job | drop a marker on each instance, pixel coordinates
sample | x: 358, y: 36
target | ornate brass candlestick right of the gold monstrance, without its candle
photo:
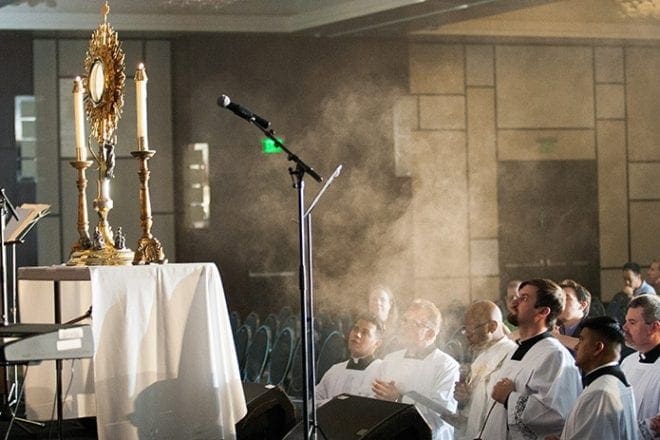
x: 149, y: 249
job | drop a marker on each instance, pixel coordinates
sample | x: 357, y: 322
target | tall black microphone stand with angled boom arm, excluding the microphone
x: 306, y: 300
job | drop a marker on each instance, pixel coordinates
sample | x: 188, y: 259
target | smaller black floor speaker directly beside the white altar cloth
x: 270, y: 413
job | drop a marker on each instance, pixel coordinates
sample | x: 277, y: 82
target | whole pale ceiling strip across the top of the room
x: 335, y: 18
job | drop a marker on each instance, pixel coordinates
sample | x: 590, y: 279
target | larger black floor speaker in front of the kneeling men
x: 349, y: 417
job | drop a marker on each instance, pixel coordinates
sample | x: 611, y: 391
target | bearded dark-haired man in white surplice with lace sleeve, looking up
x: 539, y: 384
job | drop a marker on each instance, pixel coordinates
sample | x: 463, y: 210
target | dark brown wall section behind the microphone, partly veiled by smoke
x: 331, y: 101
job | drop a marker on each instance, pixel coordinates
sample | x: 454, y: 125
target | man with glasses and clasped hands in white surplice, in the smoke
x: 420, y: 372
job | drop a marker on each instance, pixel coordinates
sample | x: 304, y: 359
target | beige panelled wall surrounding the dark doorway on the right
x: 480, y: 103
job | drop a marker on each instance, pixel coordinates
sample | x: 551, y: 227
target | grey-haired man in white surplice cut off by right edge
x: 642, y: 331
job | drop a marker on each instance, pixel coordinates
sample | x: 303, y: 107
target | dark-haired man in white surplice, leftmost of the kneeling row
x: 355, y: 375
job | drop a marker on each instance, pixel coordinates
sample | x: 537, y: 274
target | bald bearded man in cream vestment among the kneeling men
x: 484, y: 330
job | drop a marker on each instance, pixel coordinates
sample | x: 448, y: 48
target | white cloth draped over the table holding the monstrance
x: 165, y: 364
